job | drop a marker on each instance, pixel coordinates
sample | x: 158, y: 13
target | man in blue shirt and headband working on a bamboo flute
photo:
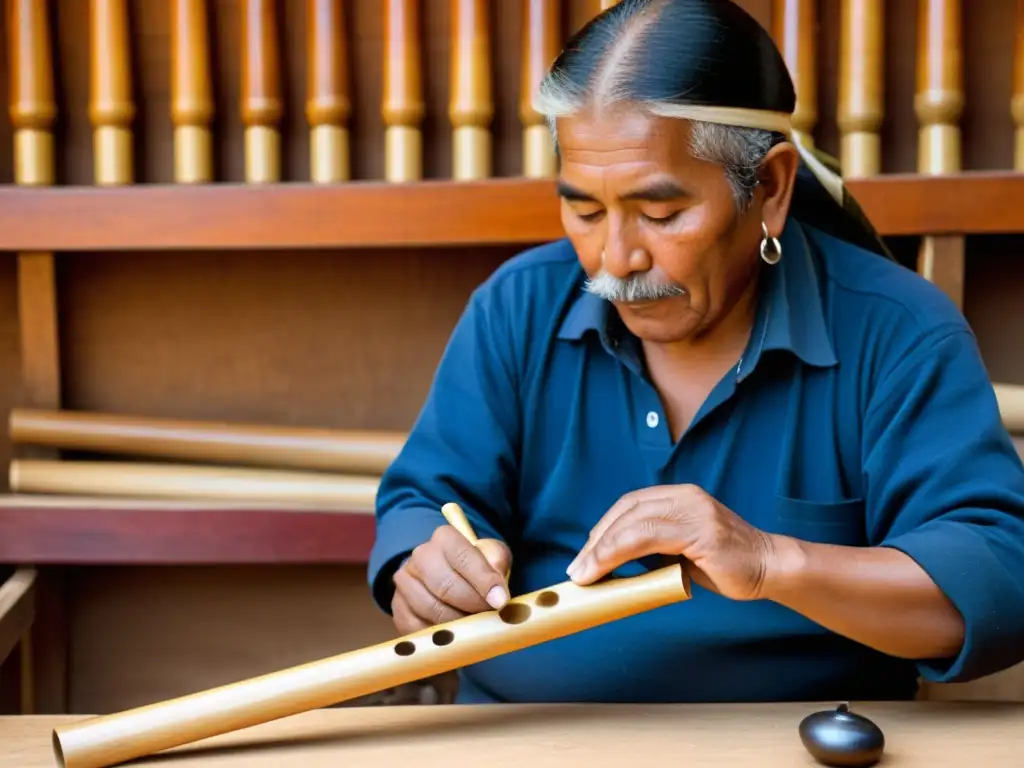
x: 720, y: 364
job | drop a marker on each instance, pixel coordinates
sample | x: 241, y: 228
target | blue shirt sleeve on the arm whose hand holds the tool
x: 463, y: 448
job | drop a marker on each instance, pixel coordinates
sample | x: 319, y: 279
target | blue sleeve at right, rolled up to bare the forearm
x: 946, y: 486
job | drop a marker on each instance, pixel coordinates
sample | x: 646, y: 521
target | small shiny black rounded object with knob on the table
x: 841, y: 738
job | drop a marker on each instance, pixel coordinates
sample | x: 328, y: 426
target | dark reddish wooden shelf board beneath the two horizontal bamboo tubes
x: 91, y: 532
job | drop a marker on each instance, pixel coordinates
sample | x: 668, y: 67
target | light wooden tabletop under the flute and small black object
x: 930, y: 735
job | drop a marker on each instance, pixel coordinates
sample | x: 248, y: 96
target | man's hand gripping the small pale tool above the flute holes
x: 448, y: 578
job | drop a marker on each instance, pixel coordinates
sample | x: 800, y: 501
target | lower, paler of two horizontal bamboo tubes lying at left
x: 349, y: 493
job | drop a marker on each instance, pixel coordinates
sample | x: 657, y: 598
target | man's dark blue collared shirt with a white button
x: 861, y: 414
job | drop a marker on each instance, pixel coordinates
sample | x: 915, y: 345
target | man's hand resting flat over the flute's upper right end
x: 722, y: 551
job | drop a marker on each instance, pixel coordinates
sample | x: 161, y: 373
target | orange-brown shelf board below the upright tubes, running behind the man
x: 430, y: 214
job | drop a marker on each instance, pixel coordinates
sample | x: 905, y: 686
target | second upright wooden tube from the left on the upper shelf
x: 111, y: 108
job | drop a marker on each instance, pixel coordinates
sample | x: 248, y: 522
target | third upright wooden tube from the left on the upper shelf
x: 192, y: 93
